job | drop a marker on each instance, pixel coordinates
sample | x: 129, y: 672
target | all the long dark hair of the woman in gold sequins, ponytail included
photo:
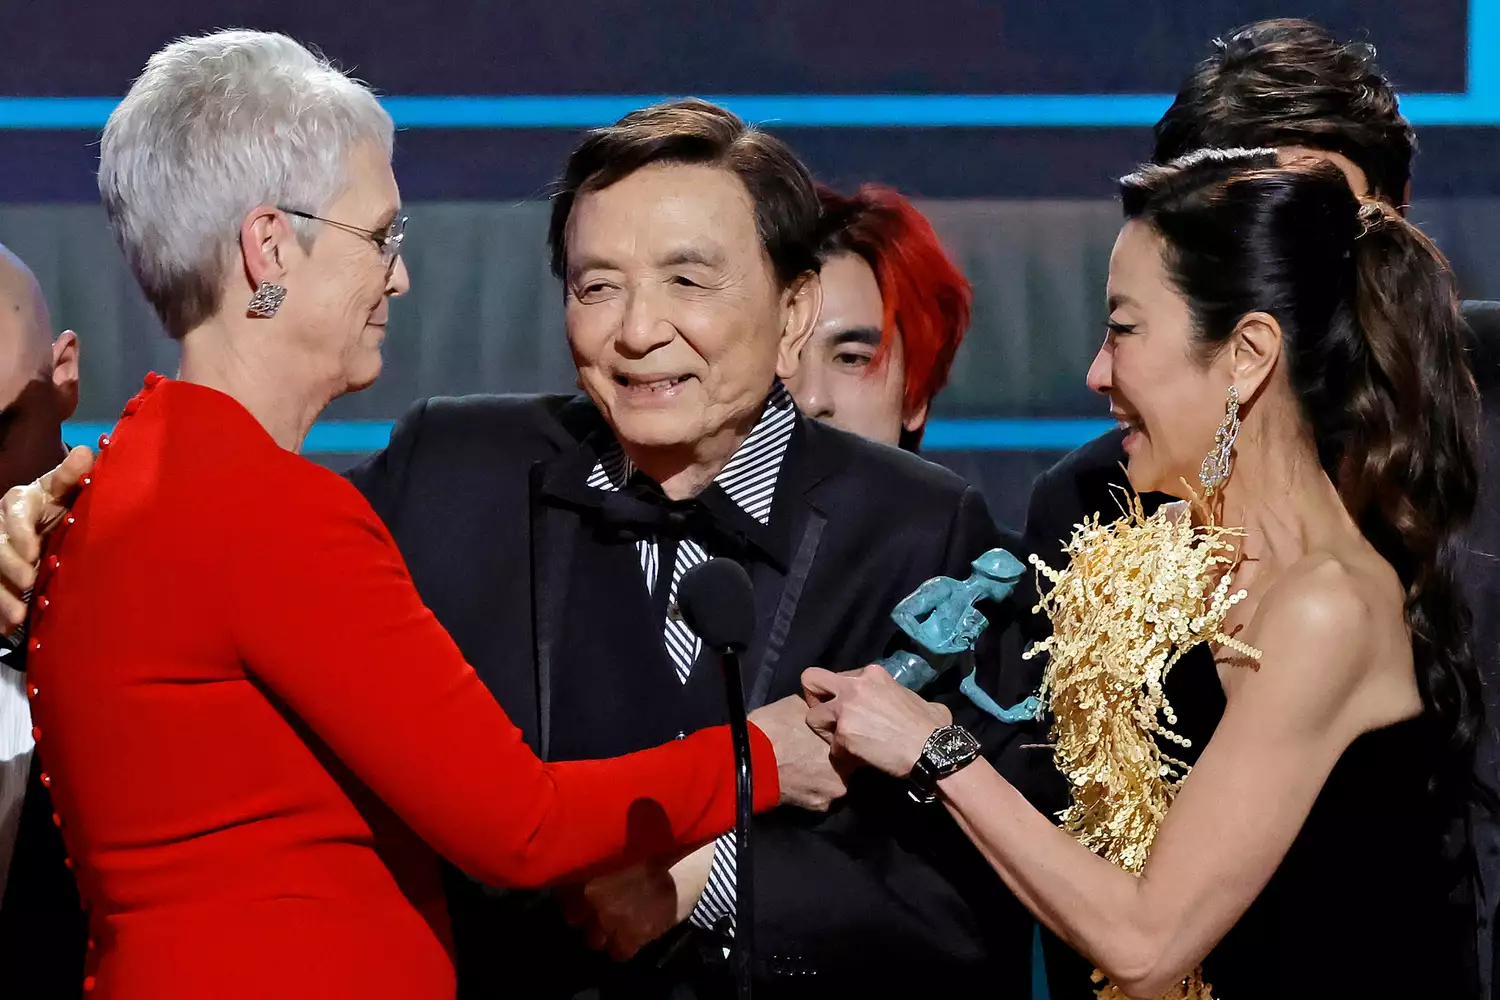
x: 1376, y: 356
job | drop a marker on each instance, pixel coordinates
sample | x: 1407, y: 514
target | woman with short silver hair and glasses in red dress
x: 248, y: 738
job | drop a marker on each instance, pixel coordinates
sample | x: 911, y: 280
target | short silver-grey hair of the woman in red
x: 212, y: 128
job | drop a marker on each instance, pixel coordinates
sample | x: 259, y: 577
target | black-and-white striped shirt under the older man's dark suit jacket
x: 749, y: 481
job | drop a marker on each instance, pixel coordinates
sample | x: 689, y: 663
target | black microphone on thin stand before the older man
x: 718, y: 603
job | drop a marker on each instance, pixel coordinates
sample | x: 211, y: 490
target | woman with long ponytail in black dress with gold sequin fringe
x: 1262, y: 696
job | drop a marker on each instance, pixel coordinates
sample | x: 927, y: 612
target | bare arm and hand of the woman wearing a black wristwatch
x: 1232, y: 824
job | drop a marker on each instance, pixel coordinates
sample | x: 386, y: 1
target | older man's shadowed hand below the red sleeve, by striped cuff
x: 625, y: 912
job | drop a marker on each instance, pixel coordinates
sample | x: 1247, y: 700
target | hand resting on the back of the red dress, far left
x: 26, y: 515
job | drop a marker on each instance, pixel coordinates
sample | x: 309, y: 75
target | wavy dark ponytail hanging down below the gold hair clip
x: 1409, y: 473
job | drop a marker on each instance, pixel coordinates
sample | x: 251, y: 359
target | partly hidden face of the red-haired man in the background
x: 838, y: 380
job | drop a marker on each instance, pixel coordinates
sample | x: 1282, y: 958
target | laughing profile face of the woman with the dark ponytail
x: 1160, y: 389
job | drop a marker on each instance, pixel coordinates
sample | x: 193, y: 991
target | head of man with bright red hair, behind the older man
x: 895, y: 311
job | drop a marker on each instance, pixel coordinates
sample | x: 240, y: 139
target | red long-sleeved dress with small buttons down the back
x: 254, y: 731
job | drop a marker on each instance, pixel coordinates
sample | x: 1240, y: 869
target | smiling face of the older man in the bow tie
x: 674, y: 314
